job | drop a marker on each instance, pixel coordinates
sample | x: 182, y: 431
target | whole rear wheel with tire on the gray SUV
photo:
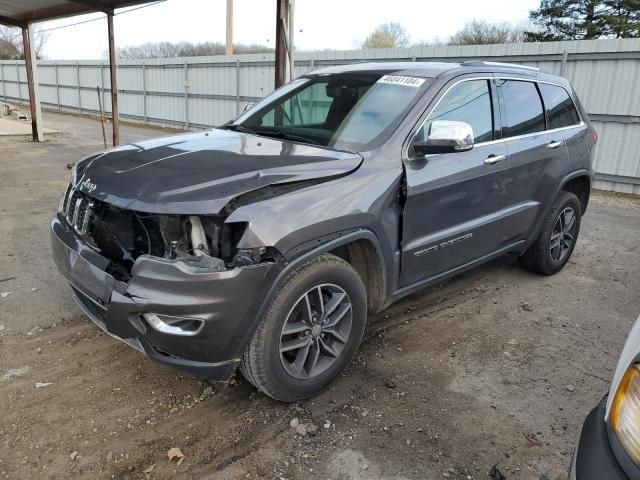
x: 544, y: 258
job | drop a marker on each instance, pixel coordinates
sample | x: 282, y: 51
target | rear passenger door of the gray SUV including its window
x: 537, y: 156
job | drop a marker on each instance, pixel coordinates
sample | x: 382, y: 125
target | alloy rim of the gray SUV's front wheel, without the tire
x: 316, y: 331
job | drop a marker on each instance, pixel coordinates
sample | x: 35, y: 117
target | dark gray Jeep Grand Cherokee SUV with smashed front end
x: 264, y: 243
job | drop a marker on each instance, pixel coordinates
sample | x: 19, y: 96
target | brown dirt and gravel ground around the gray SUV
x: 495, y: 367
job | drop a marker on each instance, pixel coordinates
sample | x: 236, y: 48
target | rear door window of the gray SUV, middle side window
x: 522, y: 112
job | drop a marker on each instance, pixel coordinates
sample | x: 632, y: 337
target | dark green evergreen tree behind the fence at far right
x: 585, y: 20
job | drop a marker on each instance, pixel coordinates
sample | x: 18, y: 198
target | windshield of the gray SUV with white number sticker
x: 355, y: 111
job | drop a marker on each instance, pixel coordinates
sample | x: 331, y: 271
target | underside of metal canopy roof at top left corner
x: 21, y: 12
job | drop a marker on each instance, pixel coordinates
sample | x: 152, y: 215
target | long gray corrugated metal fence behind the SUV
x: 202, y: 92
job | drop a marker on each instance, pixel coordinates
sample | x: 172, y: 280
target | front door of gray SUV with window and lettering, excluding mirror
x: 452, y: 214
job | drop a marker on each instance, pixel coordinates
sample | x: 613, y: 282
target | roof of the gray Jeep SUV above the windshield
x: 430, y: 69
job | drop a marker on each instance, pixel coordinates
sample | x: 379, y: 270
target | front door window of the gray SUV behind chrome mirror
x: 470, y: 102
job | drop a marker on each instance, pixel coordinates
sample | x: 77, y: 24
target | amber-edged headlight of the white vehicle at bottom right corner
x: 625, y: 413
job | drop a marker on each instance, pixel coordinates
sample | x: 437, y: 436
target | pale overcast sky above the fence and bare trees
x: 320, y: 24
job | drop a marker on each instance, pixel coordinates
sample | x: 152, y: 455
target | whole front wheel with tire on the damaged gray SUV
x: 295, y: 316
